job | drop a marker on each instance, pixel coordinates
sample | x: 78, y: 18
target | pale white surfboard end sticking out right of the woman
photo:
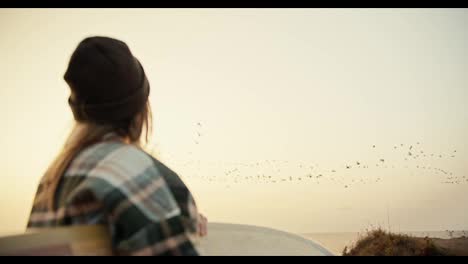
x: 244, y: 240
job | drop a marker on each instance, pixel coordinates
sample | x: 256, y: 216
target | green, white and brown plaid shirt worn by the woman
x: 148, y: 209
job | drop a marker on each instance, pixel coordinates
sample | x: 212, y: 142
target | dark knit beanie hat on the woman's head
x: 108, y: 84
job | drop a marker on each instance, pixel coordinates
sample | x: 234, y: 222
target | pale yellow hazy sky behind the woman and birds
x: 305, y: 93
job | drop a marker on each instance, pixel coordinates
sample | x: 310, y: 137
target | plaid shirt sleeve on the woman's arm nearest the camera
x: 144, y: 217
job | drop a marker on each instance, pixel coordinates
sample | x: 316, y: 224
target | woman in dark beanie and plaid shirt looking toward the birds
x: 102, y: 176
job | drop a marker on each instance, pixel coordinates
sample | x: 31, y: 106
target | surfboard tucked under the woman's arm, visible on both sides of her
x: 222, y: 240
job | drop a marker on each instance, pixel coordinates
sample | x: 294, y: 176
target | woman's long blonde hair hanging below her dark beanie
x: 85, y: 134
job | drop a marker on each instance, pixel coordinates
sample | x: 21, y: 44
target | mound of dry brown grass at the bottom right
x: 381, y: 243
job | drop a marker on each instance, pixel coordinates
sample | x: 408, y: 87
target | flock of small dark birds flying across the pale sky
x: 282, y: 171
